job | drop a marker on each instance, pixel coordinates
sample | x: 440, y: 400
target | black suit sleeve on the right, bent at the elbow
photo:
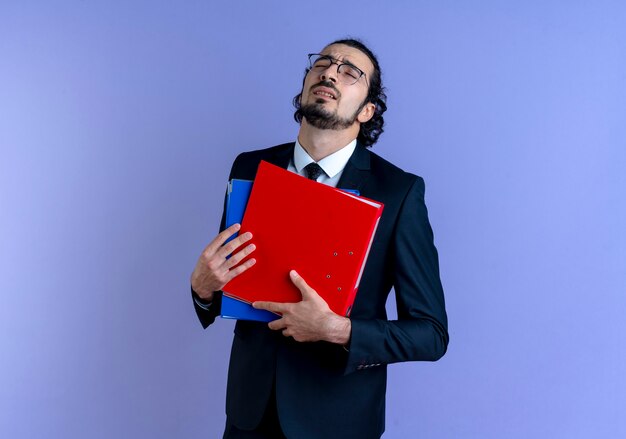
x: 421, y: 331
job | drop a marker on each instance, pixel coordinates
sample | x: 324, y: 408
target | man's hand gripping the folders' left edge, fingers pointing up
x: 213, y: 270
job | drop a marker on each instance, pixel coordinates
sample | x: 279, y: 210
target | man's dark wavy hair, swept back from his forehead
x: 373, y: 128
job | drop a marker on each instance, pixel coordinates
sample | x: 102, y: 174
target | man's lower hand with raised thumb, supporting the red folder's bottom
x: 310, y: 319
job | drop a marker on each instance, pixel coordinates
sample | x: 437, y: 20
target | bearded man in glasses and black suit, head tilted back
x: 312, y: 373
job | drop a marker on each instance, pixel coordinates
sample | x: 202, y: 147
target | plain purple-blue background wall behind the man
x: 118, y: 125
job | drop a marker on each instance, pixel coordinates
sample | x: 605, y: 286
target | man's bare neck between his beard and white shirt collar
x: 322, y: 143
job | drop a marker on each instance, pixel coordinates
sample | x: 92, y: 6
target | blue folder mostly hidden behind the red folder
x: 236, y: 202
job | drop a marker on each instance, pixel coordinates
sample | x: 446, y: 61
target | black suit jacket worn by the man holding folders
x: 322, y: 390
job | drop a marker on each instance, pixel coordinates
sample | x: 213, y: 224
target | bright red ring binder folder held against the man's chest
x: 319, y: 231
